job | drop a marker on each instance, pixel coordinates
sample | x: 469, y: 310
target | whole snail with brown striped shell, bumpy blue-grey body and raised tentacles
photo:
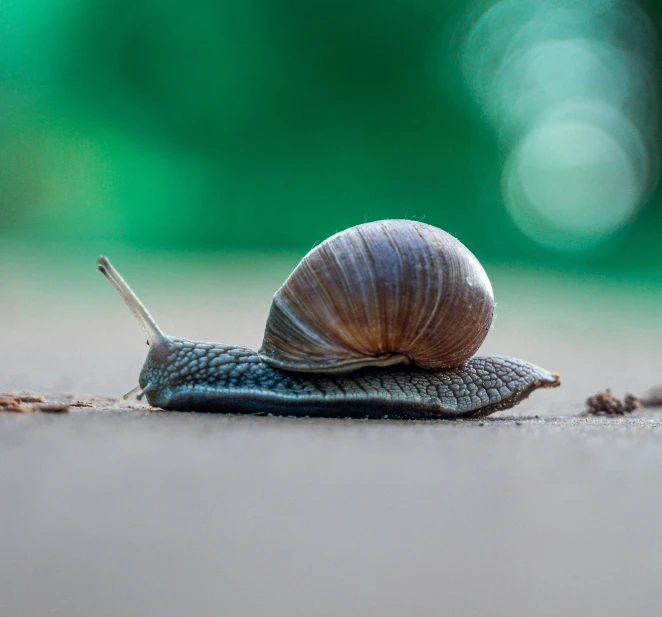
x: 379, y: 320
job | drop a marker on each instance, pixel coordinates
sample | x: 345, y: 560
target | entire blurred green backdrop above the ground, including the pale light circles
x: 245, y: 126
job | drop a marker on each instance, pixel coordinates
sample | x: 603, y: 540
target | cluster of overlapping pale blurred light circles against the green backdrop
x: 571, y: 90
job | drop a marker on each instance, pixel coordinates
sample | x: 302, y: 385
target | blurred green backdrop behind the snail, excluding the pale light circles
x: 255, y: 125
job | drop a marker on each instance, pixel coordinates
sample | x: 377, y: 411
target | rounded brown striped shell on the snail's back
x: 377, y: 294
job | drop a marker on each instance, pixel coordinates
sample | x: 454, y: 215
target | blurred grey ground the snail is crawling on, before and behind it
x: 120, y: 510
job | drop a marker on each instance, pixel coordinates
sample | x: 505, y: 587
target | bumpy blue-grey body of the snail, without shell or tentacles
x: 183, y: 375
